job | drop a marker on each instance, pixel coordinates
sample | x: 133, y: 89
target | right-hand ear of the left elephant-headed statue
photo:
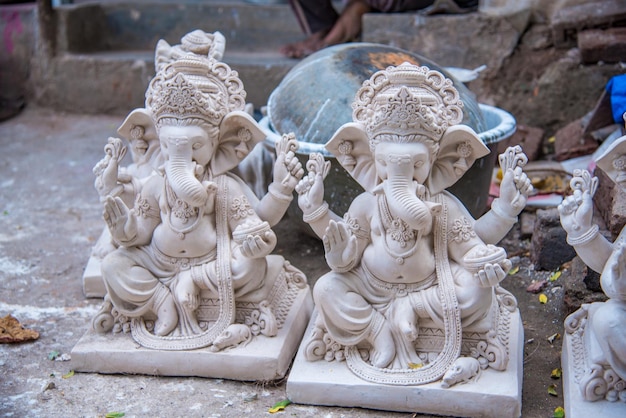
x: 239, y: 133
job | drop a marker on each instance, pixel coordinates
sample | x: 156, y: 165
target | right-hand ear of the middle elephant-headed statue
x: 458, y: 149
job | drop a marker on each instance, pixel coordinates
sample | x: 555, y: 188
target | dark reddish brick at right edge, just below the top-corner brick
x: 602, y: 45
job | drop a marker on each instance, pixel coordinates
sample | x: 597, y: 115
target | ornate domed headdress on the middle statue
x: 407, y: 101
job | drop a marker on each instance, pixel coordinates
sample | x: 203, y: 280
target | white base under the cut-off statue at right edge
x: 575, y: 405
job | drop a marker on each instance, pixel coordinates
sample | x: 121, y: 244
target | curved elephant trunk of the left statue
x: 180, y: 171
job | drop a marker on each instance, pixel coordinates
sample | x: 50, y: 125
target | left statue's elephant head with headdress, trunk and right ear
x: 197, y: 104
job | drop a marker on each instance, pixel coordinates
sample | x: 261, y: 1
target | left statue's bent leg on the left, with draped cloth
x: 135, y: 291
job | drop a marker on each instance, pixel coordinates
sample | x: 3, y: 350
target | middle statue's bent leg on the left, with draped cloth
x: 350, y: 319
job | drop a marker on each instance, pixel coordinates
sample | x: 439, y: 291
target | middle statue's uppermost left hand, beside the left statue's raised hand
x: 311, y: 188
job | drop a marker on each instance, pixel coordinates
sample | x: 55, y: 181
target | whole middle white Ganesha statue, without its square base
x: 414, y: 285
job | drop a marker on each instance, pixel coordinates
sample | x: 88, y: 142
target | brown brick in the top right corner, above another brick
x: 569, y: 21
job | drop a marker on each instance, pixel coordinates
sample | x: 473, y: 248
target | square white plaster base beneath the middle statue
x: 495, y: 394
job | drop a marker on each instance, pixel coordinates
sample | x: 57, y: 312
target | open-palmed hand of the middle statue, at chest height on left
x: 340, y: 246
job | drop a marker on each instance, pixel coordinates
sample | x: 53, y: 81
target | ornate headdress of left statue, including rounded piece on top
x: 192, y: 83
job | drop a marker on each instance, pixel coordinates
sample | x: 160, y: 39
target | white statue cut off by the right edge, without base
x: 597, y: 331
